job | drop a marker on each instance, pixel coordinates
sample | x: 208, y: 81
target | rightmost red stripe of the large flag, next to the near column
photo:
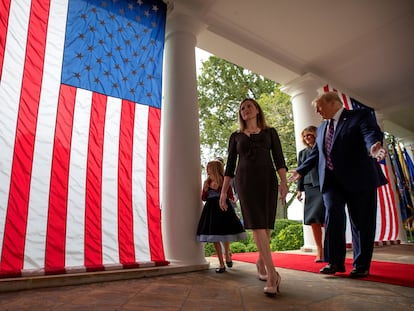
x: 153, y: 208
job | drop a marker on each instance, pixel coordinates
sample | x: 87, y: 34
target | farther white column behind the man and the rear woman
x: 302, y: 91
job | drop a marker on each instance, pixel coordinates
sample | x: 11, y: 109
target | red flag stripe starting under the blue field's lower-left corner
x: 56, y: 224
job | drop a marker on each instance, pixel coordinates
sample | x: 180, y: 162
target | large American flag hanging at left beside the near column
x: 80, y: 93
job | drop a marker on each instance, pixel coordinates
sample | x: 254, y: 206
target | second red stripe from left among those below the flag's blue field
x: 93, y: 204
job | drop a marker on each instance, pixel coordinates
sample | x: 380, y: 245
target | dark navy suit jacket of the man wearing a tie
x: 355, y: 169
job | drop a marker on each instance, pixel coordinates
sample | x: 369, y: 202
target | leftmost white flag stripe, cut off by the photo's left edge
x: 10, y: 87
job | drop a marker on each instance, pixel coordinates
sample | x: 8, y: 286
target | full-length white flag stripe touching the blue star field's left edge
x: 34, y: 254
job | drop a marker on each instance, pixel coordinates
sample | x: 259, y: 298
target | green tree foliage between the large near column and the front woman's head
x: 221, y: 88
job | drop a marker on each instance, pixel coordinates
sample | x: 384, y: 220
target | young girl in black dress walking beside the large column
x: 216, y: 224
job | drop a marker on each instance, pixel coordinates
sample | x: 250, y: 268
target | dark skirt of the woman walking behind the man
x: 314, y: 209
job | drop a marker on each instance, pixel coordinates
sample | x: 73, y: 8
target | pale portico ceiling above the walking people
x: 364, y: 48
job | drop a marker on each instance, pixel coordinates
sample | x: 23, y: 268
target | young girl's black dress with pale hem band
x: 216, y: 225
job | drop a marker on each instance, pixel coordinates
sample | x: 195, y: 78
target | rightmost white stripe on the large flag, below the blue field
x: 139, y: 176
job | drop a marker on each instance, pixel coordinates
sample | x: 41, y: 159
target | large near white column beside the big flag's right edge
x: 180, y: 144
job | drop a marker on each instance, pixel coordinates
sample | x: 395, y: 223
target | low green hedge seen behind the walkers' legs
x: 287, y: 235
